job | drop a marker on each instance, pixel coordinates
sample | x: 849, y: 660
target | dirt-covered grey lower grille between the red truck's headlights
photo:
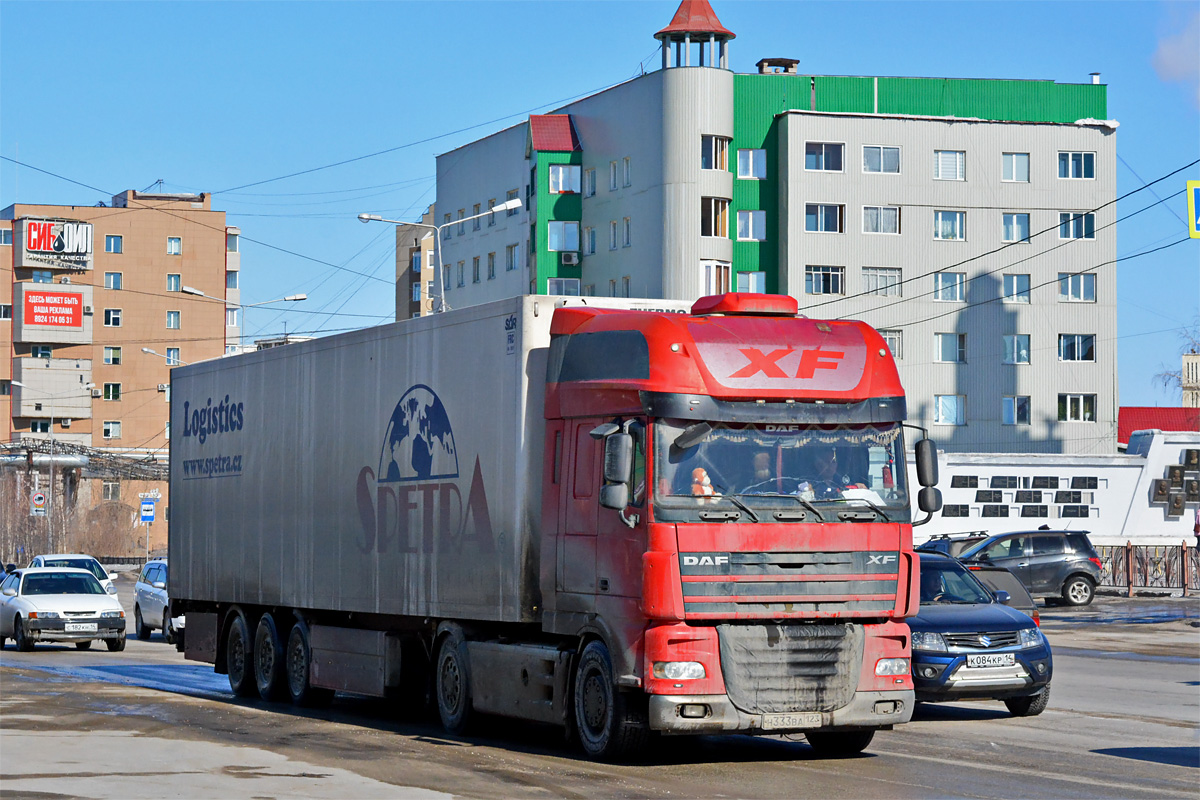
x: 773, y: 669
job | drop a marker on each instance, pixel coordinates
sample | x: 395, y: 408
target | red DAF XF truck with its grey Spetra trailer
x: 619, y: 520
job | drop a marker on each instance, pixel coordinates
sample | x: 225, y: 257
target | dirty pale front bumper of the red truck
x: 873, y: 711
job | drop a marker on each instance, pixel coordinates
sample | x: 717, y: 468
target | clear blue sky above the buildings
x: 215, y: 97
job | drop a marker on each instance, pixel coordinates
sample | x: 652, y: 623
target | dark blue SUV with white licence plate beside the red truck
x: 968, y: 645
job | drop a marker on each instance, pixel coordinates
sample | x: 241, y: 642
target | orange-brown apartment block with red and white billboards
x: 93, y: 286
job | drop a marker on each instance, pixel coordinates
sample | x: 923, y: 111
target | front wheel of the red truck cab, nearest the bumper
x: 610, y: 724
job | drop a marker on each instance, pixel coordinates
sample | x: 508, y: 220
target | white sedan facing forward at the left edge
x: 59, y: 605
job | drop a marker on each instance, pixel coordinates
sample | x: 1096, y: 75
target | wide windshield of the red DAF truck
x: 817, y: 472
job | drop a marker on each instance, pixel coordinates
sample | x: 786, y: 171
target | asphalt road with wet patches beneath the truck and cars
x: 1124, y: 723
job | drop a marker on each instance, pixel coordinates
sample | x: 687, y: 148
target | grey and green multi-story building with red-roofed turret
x: 973, y: 221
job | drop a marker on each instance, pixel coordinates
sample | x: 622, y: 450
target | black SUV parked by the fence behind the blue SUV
x: 1049, y: 563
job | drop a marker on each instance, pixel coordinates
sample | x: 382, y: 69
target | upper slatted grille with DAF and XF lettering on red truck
x: 769, y: 586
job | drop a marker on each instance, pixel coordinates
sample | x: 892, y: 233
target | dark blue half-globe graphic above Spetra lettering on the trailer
x: 419, y: 443
